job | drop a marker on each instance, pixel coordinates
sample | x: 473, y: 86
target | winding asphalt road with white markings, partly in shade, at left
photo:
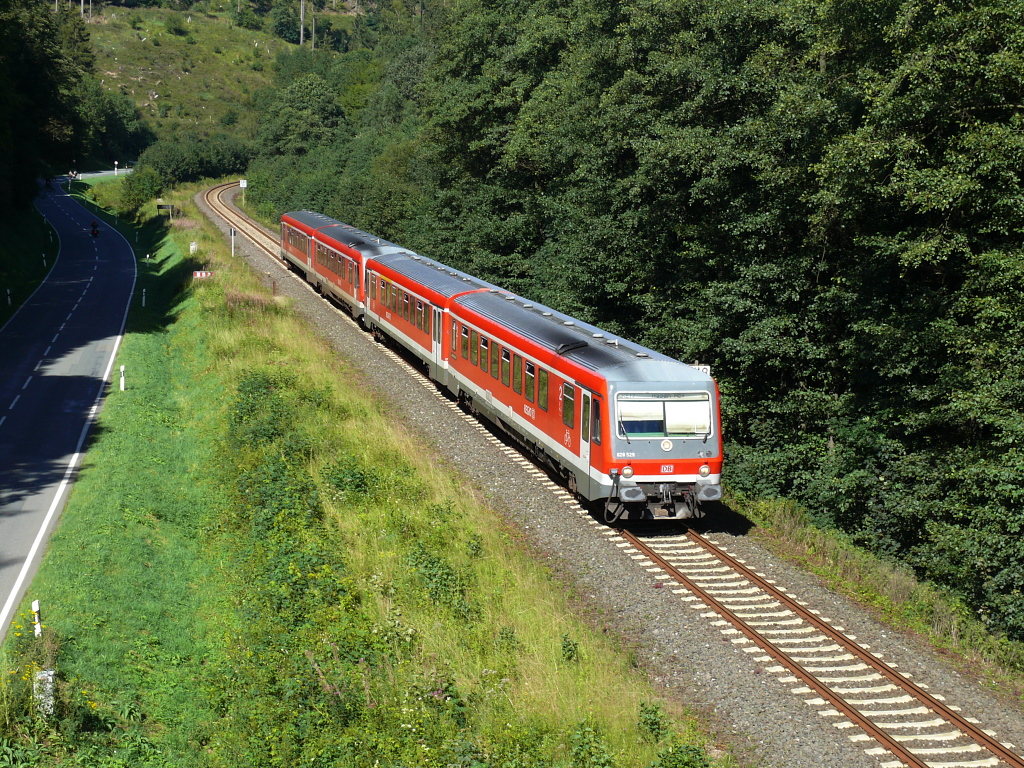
x: 57, y: 354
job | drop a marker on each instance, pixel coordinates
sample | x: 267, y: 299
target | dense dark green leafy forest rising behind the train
x: 823, y: 200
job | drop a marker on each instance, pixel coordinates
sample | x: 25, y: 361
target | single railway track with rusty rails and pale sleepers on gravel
x: 881, y: 710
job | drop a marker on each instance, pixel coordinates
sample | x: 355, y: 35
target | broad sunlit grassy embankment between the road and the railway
x: 260, y: 567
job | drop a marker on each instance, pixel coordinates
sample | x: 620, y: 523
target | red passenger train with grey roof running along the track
x: 619, y: 422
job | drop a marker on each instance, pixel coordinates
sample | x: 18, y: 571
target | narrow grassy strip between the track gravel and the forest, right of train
x: 892, y: 593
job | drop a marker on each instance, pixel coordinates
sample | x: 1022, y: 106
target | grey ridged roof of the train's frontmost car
x: 616, y: 358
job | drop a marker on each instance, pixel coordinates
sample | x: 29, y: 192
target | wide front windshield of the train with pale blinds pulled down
x: 664, y: 414
